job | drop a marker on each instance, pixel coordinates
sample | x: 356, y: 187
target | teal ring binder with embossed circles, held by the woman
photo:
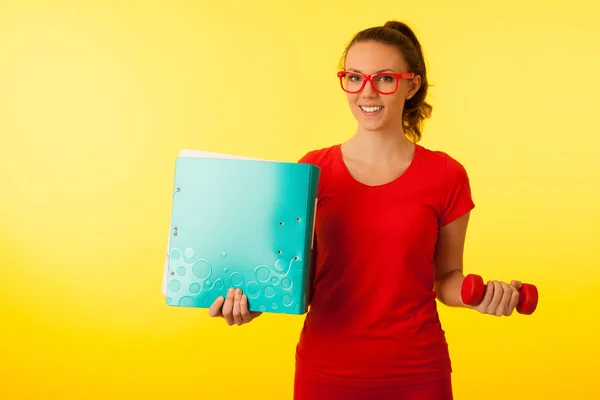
x: 241, y: 223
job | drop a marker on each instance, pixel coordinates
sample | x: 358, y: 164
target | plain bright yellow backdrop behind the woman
x: 97, y: 98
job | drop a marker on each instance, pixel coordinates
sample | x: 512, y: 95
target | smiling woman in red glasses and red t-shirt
x: 390, y: 230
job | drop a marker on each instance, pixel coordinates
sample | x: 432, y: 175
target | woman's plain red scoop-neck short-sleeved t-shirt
x: 373, y: 319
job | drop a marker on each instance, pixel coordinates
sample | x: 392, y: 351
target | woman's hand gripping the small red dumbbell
x: 500, y: 298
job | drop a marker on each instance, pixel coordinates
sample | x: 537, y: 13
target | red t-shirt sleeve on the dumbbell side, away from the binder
x: 456, y: 199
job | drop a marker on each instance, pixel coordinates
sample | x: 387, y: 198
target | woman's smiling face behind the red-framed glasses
x: 372, y: 110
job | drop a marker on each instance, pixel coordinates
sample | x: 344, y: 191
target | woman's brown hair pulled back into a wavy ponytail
x: 398, y: 34
